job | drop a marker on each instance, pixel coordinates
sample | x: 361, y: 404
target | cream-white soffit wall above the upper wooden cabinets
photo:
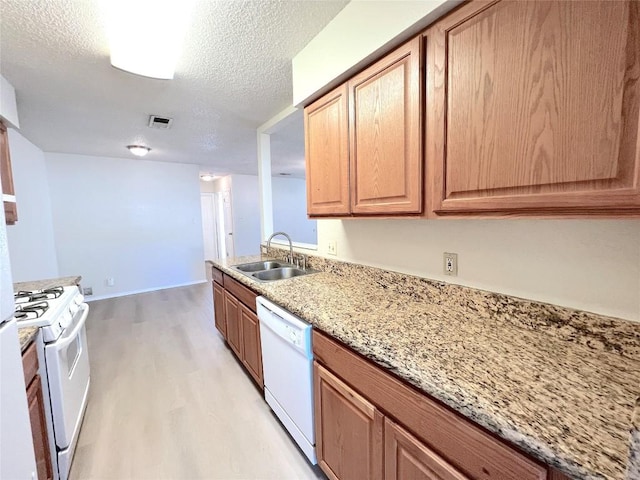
x: 361, y: 31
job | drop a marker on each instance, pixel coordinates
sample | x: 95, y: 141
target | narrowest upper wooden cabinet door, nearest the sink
x: 327, y: 154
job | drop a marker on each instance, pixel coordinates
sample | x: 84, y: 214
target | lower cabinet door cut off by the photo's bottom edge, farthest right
x: 407, y: 458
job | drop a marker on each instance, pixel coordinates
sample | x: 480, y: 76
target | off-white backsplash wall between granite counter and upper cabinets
x: 591, y: 265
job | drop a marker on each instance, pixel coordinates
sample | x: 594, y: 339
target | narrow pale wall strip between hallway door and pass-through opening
x: 245, y: 206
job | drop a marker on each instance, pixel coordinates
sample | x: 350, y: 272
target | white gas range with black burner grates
x: 60, y: 313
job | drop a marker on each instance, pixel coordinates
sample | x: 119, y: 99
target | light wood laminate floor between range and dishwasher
x: 168, y: 400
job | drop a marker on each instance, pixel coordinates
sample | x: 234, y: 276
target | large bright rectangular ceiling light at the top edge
x: 145, y: 36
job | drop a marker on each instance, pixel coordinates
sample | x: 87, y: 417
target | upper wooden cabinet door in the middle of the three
x: 385, y: 134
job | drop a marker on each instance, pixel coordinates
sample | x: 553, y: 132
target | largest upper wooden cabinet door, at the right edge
x: 533, y: 107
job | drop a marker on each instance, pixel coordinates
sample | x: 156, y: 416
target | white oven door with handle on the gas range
x: 68, y: 374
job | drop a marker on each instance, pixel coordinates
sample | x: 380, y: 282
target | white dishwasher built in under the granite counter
x: 287, y: 363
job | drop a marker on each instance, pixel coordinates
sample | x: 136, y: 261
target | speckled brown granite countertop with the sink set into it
x: 559, y: 383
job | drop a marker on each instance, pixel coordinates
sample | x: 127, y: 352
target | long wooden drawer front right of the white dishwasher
x: 466, y: 446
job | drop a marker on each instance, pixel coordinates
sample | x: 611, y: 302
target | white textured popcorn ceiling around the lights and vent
x: 234, y: 74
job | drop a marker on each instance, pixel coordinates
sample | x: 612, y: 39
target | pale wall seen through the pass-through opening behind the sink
x: 290, y: 210
